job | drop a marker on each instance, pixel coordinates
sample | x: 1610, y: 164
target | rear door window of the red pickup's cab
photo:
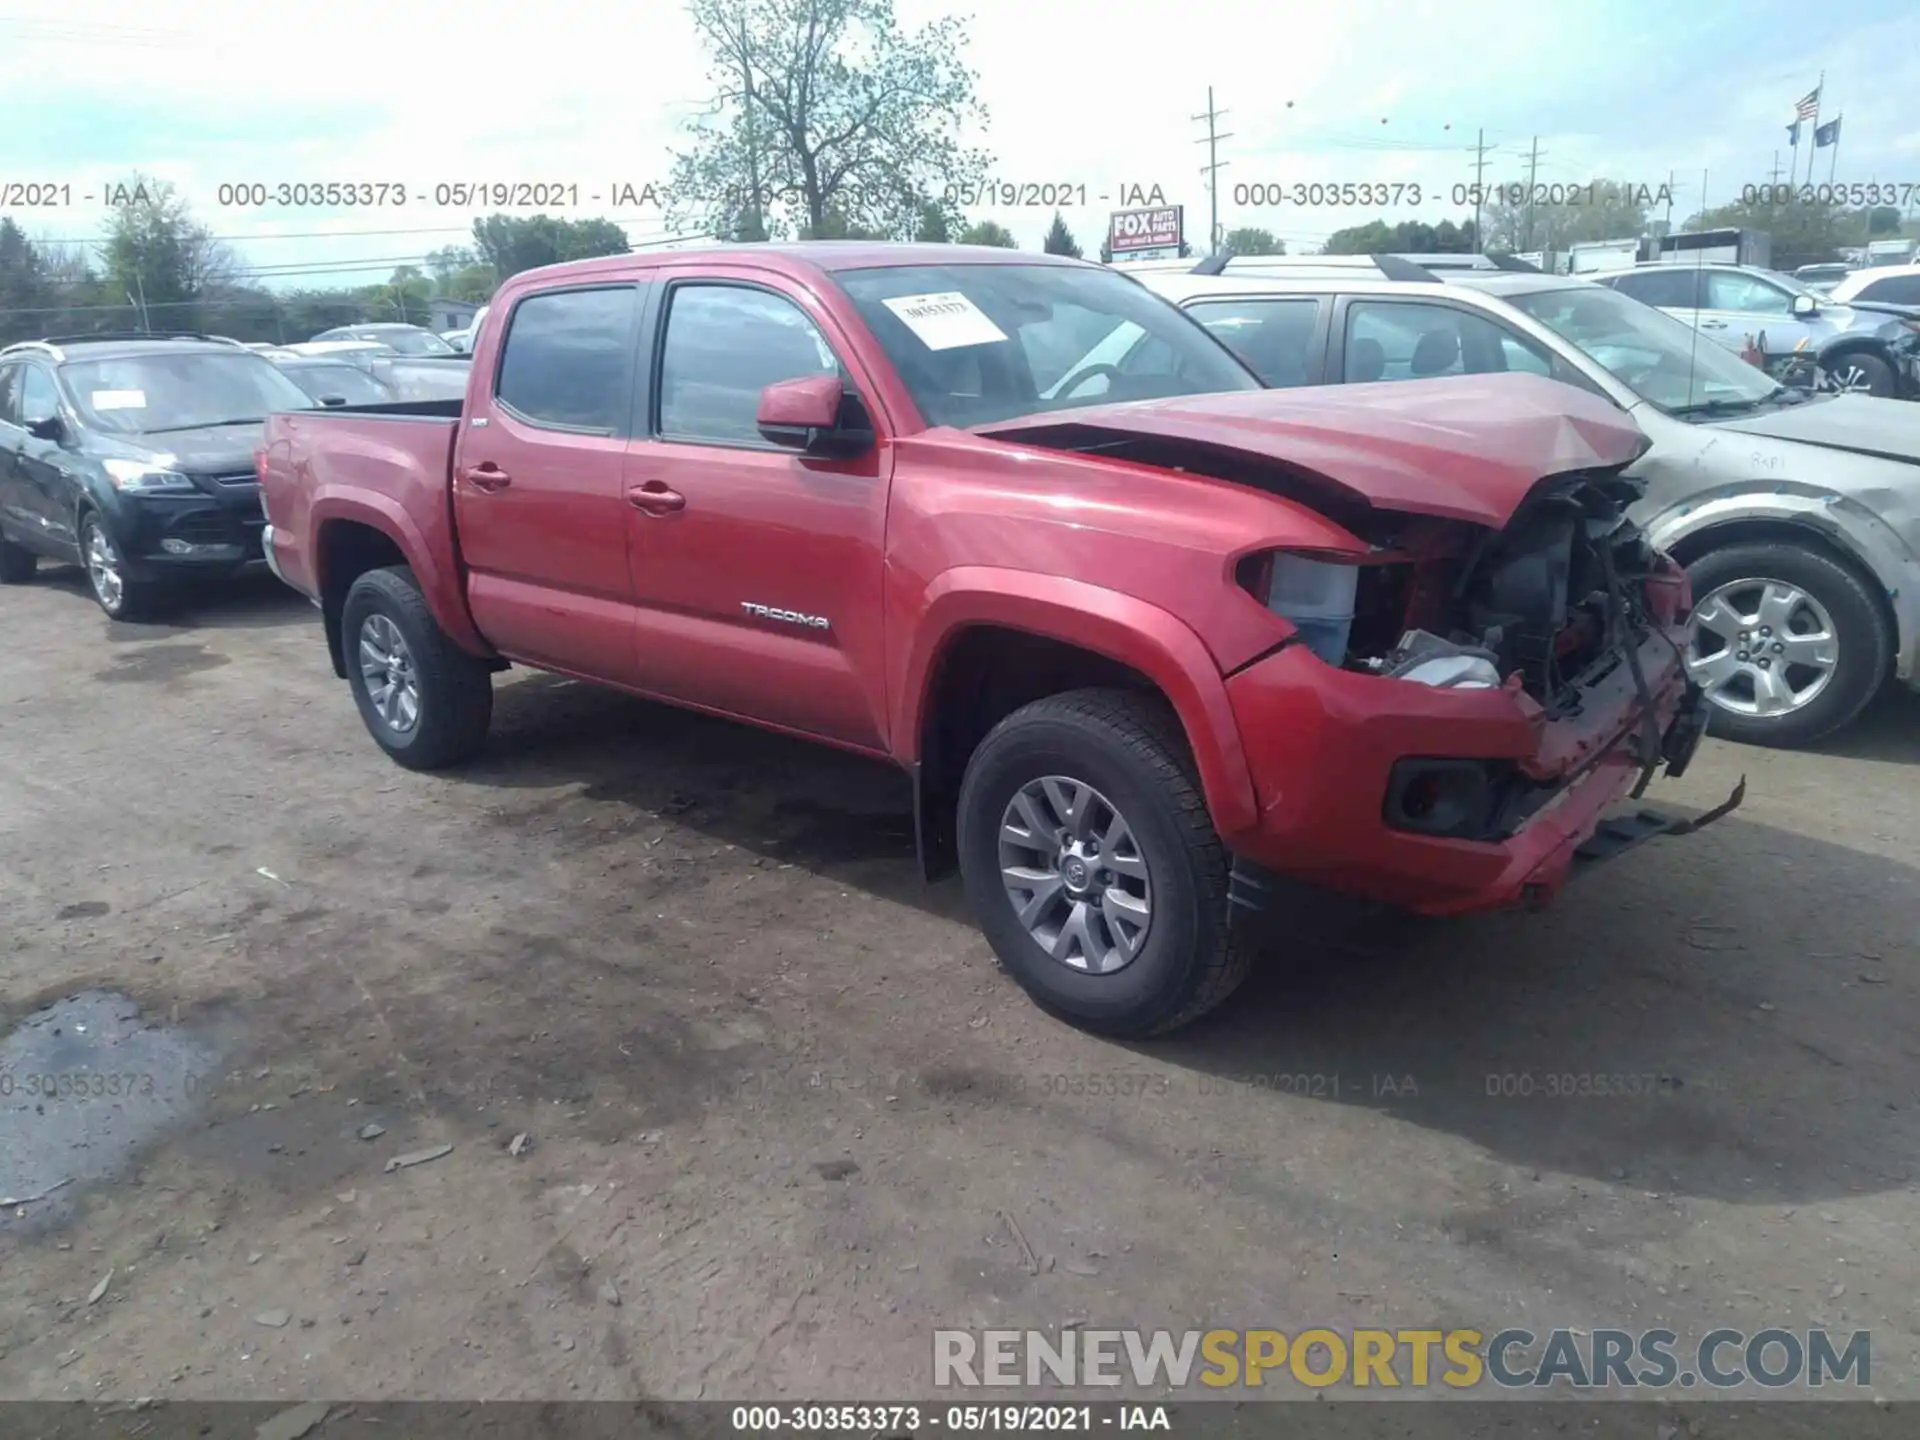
x: 569, y: 360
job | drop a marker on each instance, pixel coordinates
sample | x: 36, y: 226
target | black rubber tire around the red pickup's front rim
x: 1130, y: 748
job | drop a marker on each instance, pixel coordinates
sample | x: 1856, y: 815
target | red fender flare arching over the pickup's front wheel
x: 1107, y: 623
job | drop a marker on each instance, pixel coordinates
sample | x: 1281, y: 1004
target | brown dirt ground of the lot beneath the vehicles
x: 784, y: 1113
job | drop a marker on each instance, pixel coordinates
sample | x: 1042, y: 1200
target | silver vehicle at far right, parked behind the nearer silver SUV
x: 1781, y: 322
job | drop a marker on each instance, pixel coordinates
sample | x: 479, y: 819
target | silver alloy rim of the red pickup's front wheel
x: 1076, y: 876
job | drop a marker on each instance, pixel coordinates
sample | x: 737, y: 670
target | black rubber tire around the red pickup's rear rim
x: 456, y: 690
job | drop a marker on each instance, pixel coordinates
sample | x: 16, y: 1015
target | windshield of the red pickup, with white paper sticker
x: 994, y: 343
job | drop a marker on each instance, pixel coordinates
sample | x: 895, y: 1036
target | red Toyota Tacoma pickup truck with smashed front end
x: 1143, y: 633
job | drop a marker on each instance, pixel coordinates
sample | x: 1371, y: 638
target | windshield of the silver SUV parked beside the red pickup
x: 1656, y: 356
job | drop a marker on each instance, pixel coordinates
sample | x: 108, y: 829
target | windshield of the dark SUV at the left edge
x: 147, y: 395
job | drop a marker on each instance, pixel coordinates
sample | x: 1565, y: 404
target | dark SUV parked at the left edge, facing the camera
x: 133, y: 456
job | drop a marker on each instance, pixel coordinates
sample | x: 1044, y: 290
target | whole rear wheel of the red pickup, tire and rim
x: 425, y: 700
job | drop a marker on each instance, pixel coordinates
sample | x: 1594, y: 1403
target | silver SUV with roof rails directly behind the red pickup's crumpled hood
x: 1798, y: 517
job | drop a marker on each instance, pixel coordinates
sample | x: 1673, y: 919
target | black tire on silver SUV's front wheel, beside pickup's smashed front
x: 1860, y: 625
